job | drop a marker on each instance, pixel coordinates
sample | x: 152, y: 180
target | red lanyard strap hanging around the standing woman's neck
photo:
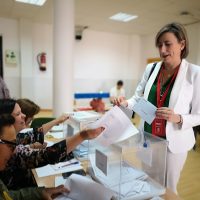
x: 161, y: 99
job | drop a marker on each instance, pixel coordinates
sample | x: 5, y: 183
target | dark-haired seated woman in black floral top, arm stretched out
x: 17, y: 173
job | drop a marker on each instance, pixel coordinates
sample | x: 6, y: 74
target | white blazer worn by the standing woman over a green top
x: 184, y: 100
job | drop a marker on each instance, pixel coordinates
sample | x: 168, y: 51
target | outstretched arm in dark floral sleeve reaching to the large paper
x: 30, y: 158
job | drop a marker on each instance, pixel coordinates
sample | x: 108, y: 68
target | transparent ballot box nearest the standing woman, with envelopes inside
x: 132, y: 169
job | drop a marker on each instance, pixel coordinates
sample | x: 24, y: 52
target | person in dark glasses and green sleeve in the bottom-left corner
x: 7, y: 147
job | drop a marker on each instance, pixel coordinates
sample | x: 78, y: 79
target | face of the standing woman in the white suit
x: 170, y: 49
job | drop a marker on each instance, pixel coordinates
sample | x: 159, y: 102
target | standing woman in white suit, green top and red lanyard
x: 172, y: 86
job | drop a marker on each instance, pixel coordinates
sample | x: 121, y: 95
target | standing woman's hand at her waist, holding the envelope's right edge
x: 167, y: 114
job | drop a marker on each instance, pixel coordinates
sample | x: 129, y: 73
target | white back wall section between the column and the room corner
x: 103, y: 58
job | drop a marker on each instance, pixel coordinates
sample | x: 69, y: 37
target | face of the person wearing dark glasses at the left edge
x: 6, y: 150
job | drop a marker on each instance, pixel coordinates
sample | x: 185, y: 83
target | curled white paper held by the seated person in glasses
x: 82, y: 187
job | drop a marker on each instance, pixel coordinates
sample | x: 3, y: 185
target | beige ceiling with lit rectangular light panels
x: 95, y: 13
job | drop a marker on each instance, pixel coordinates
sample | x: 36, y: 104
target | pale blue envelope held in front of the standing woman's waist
x: 146, y: 110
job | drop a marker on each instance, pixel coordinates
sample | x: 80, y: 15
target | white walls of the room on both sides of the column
x: 100, y: 59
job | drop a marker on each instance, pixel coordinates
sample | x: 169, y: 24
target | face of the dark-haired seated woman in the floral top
x: 19, y: 118
